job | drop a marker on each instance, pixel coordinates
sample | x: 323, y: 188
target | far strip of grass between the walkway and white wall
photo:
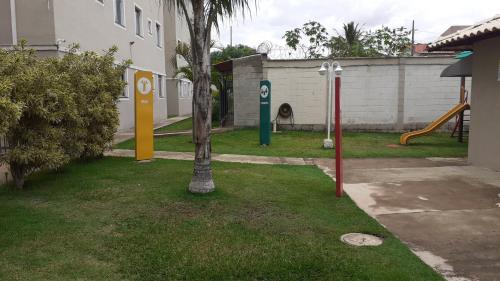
x: 309, y: 144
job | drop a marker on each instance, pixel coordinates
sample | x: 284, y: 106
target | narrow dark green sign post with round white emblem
x: 265, y: 112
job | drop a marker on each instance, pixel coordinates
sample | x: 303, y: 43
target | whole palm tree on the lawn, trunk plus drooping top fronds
x: 201, y: 16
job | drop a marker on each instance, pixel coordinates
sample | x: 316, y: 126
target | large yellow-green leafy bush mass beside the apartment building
x: 57, y: 109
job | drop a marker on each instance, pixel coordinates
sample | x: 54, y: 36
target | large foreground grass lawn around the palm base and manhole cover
x: 115, y: 219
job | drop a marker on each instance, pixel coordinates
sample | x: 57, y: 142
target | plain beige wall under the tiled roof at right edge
x: 484, y: 145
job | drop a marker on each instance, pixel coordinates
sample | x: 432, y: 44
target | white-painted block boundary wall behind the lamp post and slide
x: 377, y: 94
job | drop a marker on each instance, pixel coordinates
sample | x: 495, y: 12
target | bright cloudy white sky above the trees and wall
x: 272, y: 18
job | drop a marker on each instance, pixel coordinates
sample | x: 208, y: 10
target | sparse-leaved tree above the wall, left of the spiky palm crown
x: 311, y: 39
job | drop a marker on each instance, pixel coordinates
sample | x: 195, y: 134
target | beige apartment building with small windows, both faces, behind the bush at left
x: 145, y: 31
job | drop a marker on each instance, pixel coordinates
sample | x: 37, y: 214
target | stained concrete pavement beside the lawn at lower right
x: 447, y: 212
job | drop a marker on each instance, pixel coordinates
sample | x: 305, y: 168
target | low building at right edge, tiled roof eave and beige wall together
x: 484, y: 40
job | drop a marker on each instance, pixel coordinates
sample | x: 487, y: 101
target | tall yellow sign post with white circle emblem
x: 144, y: 115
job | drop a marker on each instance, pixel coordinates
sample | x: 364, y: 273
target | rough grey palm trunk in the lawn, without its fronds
x: 201, y: 181
